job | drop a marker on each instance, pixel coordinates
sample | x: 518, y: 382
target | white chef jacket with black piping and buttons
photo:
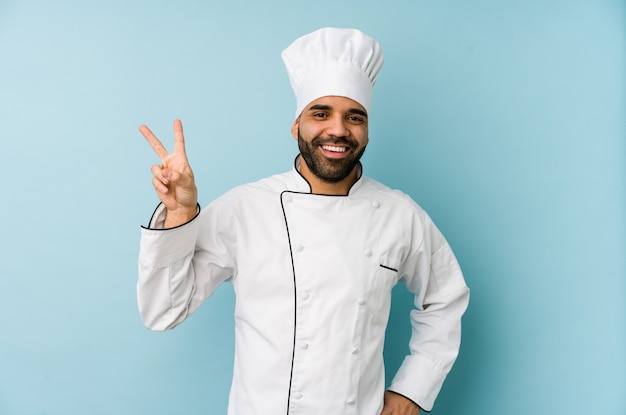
x: 313, y: 276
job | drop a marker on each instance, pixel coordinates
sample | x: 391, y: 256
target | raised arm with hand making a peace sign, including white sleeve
x: 173, y: 275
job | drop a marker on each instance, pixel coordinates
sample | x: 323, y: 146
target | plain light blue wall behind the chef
x: 504, y: 119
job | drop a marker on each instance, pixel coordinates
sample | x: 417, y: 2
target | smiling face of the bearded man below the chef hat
x: 332, y: 135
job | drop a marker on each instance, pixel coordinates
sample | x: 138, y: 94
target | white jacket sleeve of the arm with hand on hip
x: 433, y: 274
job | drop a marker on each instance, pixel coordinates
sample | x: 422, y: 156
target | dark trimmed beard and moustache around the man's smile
x: 328, y: 169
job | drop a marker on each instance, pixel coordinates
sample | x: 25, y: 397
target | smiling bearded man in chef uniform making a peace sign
x: 313, y: 255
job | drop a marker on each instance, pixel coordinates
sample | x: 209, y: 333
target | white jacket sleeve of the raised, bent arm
x: 179, y: 268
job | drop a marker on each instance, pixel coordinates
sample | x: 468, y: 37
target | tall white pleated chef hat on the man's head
x: 330, y: 61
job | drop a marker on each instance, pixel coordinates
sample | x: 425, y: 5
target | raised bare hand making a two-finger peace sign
x: 173, y: 178
